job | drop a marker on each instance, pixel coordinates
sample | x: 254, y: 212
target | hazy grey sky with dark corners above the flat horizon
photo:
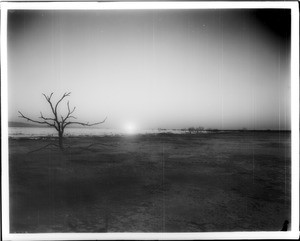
x: 224, y: 69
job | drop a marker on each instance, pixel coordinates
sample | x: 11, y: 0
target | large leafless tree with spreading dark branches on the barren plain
x: 58, y: 121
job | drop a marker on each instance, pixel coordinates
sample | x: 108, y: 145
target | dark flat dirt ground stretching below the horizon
x: 237, y: 181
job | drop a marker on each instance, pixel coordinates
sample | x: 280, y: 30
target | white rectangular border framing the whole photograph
x: 293, y: 6
